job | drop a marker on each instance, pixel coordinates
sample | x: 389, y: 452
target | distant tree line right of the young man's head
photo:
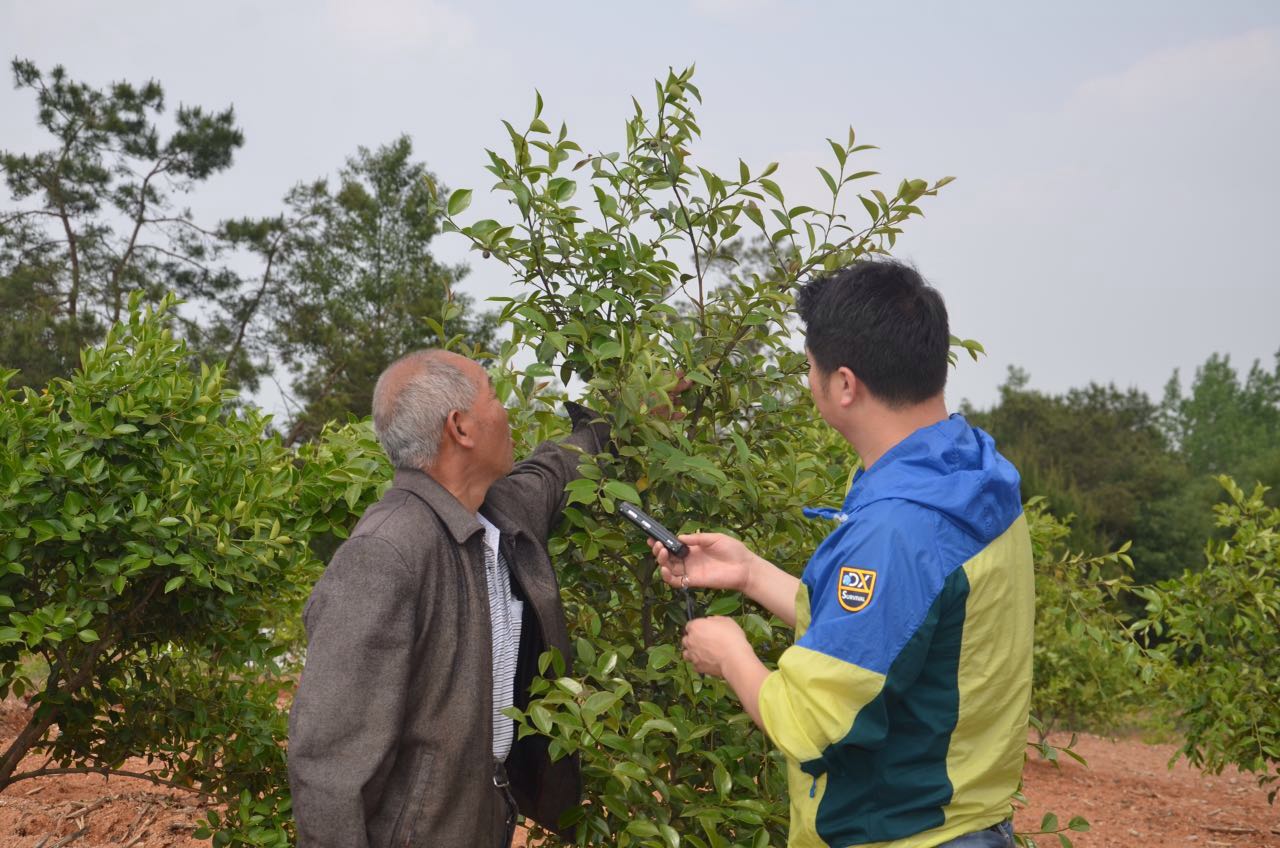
x: 1128, y: 468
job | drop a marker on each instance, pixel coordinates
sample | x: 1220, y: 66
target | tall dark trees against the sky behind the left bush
x: 327, y: 291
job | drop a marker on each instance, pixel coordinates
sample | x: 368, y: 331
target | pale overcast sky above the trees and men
x: 1118, y: 174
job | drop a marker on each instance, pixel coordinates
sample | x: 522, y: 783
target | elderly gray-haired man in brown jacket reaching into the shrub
x: 429, y: 622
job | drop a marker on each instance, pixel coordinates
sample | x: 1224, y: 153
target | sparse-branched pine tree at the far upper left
x: 95, y: 215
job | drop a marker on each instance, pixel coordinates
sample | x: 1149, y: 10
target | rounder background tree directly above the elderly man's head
x: 349, y: 285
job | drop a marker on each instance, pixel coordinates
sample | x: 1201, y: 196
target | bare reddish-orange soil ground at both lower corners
x: 1127, y: 792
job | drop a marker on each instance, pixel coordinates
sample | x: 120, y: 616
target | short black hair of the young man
x: 881, y: 321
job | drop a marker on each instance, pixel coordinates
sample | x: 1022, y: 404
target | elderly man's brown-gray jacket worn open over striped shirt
x: 391, y: 732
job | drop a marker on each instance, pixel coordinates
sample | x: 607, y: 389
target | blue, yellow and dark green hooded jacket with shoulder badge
x: 903, y: 705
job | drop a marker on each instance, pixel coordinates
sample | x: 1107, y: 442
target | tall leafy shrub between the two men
x: 623, y: 297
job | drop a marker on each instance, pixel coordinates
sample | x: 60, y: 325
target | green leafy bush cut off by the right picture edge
x: 1218, y: 632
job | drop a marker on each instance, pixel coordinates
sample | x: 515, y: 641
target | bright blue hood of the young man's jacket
x: 950, y: 468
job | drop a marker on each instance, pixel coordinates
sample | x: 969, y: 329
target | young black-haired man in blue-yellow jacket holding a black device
x: 903, y: 705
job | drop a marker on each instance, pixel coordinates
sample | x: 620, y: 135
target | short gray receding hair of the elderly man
x: 410, y: 414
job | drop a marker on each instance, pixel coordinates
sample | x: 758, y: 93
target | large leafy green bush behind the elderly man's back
x: 152, y: 544
